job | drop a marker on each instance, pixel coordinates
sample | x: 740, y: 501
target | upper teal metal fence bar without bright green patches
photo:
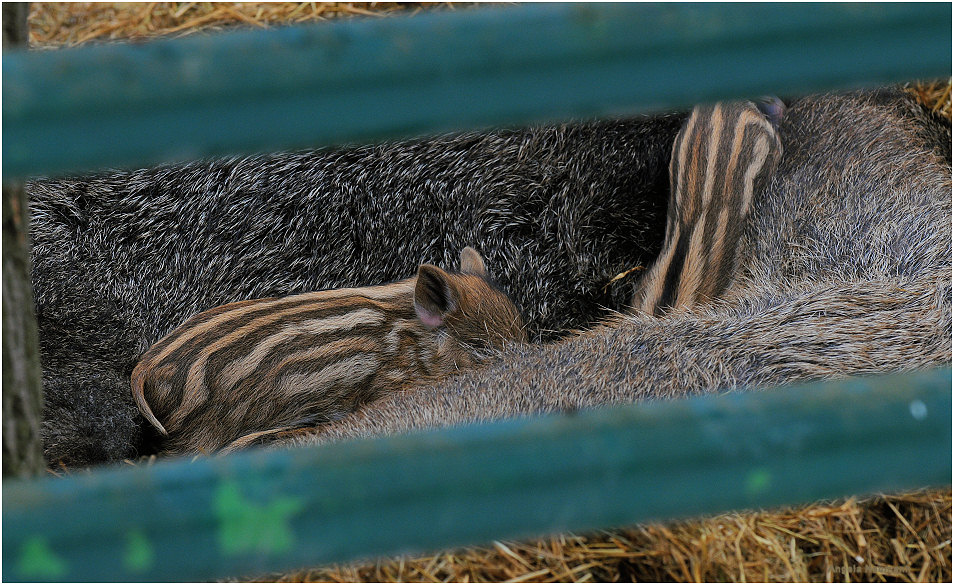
x: 137, y: 104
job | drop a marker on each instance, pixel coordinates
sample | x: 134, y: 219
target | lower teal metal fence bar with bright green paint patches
x: 260, y: 511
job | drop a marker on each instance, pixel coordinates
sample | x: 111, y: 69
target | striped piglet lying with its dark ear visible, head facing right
x: 252, y: 367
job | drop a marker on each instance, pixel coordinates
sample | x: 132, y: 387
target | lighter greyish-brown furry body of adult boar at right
x: 845, y: 270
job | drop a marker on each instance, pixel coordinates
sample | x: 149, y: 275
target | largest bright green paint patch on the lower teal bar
x: 246, y: 526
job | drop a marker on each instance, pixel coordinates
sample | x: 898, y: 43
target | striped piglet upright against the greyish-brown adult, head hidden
x: 725, y: 154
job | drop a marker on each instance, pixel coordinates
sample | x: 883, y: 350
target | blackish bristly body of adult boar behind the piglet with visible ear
x: 121, y: 258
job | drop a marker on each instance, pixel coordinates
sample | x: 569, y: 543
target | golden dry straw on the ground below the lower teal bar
x: 895, y: 538
